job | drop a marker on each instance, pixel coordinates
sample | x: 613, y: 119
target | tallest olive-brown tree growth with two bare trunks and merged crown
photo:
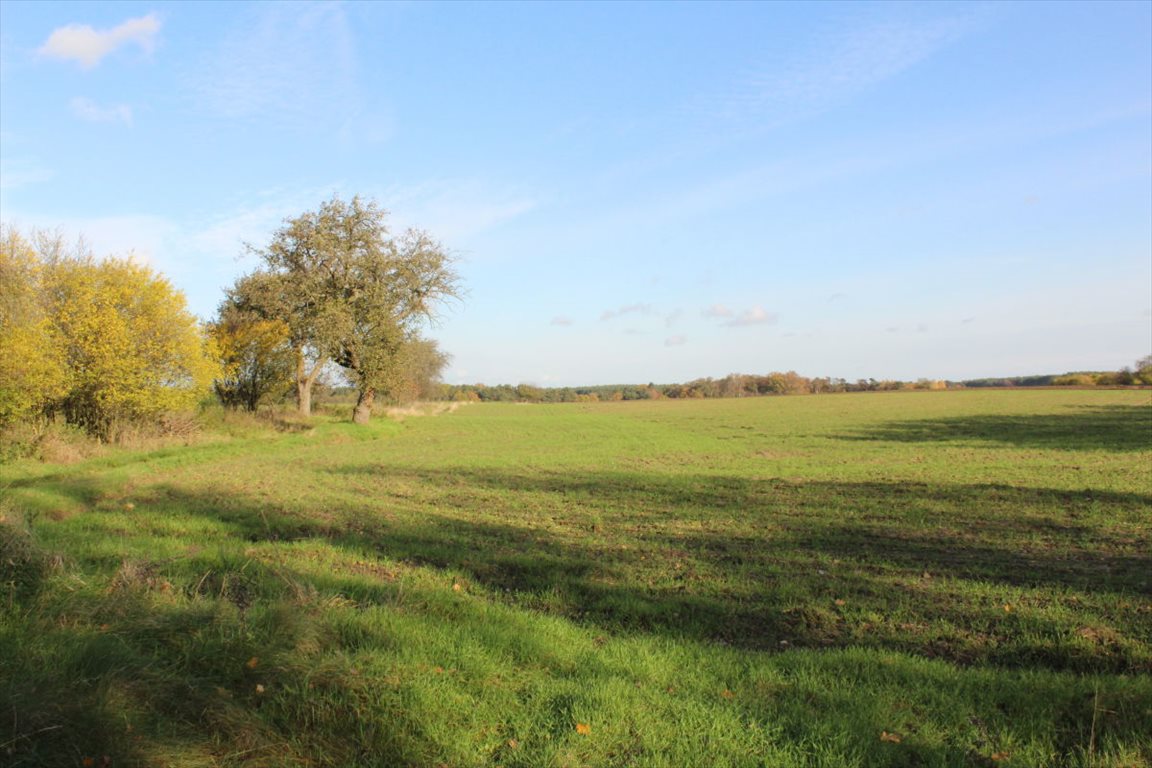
x: 353, y: 293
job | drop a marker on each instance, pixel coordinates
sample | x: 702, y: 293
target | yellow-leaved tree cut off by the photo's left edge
x: 33, y: 370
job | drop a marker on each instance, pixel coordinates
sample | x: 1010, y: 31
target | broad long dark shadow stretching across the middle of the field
x: 764, y: 565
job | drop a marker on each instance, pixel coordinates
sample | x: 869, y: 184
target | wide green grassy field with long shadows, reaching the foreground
x: 878, y: 580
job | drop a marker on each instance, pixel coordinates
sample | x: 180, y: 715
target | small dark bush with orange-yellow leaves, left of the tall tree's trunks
x: 256, y: 356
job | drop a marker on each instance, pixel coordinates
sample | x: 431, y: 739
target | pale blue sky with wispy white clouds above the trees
x: 634, y: 193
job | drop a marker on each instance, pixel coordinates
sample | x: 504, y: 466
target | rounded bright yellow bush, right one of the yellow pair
x: 131, y: 347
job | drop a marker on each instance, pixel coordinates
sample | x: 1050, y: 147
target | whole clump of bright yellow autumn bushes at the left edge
x: 101, y: 343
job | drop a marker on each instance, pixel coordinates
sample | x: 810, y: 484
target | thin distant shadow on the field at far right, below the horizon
x: 1081, y: 428
